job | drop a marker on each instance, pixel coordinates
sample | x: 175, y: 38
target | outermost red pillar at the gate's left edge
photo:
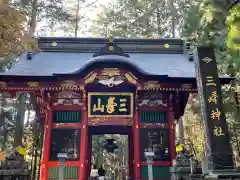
x: 46, y: 145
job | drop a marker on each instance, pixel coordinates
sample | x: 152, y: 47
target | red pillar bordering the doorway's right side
x: 137, y: 149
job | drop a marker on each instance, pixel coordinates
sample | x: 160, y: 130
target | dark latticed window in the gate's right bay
x: 155, y: 140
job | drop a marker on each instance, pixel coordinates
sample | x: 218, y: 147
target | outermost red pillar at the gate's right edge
x: 171, y: 127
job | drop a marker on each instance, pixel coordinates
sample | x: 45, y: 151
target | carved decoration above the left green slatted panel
x: 68, y: 98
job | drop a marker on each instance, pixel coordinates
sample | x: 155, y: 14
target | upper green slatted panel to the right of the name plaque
x: 153, y: 117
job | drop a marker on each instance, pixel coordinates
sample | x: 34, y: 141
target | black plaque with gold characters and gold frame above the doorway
x: 110, y: 104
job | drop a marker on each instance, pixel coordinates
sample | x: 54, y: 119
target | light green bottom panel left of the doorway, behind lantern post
x: 70, y: 172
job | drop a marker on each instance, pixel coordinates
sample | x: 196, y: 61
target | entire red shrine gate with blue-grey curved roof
x: 90, y: 86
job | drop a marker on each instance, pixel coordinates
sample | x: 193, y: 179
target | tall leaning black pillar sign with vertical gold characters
x: 209, y: 88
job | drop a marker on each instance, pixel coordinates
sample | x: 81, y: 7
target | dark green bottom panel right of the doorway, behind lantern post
x: 158, y: 172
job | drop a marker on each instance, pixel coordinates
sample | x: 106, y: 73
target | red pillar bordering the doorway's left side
x: 83, y: 144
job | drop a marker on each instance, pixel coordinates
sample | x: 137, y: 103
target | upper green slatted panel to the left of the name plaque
x: 67, y: 116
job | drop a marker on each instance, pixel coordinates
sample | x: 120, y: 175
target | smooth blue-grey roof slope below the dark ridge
x: 49, y: 63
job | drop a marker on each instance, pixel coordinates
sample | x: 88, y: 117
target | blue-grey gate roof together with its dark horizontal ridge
x: 155, y: 57
